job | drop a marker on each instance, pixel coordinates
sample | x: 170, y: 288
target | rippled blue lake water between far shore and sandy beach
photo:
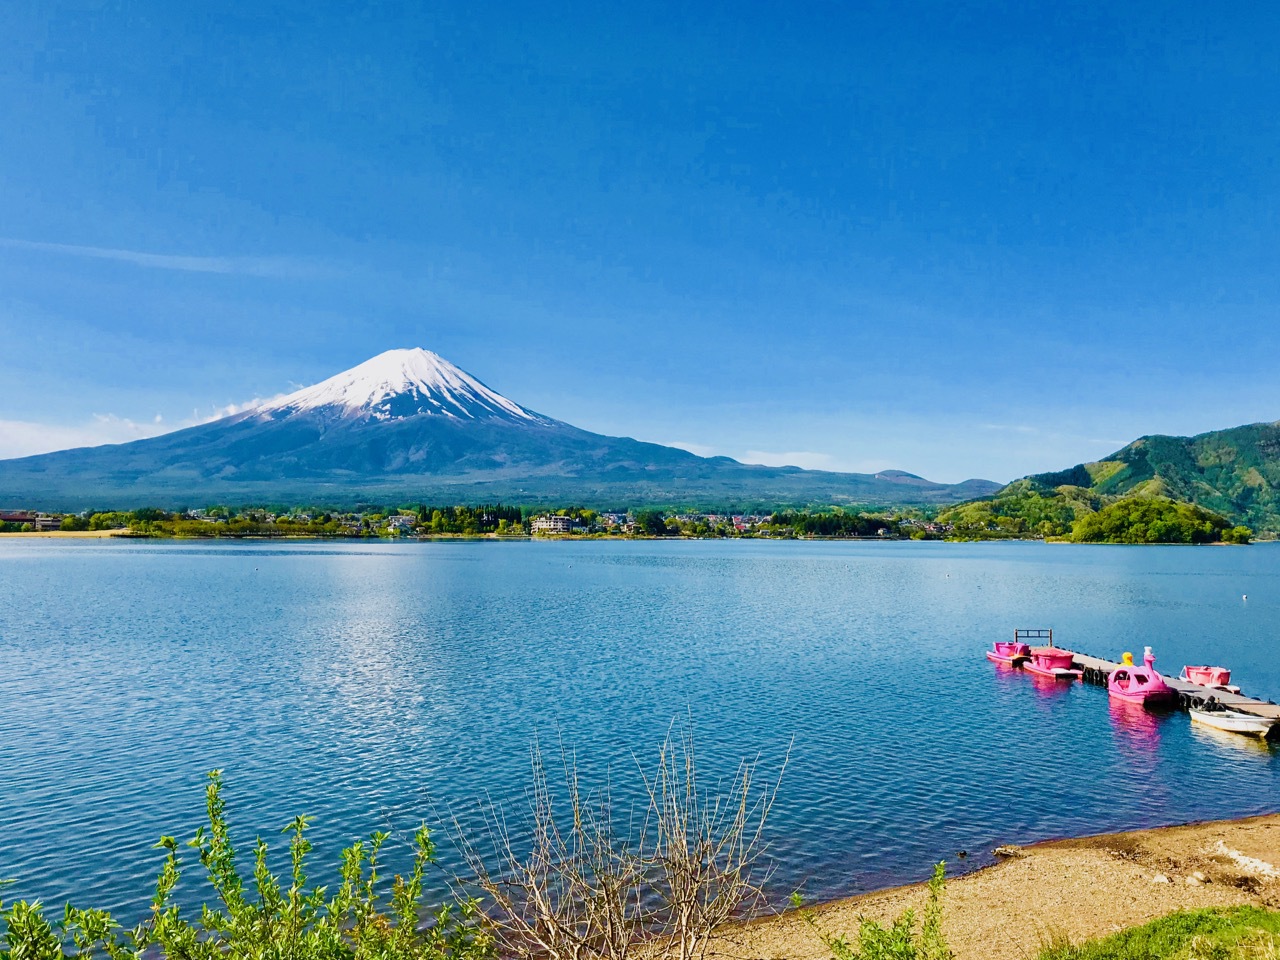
x: 383, y: 684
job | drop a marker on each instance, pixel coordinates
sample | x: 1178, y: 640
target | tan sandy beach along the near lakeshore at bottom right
x: 1076, y: 889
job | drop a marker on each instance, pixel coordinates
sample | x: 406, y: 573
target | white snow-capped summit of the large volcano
x: 397, y: 385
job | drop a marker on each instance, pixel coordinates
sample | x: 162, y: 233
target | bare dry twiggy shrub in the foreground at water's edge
x: 578, y: 881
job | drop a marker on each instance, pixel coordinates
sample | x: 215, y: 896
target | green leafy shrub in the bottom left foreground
x: 264, y: 917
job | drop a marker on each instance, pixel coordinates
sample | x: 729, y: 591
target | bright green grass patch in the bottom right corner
x: 1241, y: 934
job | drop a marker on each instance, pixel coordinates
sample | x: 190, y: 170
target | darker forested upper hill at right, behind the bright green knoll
x: 1235, y: 473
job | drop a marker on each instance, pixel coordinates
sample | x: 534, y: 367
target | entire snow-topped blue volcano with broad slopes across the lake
x: 409, y: 426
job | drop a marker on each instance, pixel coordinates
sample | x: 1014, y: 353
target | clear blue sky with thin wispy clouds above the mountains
x: 962, y: 240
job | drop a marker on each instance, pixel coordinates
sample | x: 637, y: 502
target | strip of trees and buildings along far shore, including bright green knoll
x: 1136, y: 520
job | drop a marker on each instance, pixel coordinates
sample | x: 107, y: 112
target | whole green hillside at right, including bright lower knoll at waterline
x: 1229, y: 474
